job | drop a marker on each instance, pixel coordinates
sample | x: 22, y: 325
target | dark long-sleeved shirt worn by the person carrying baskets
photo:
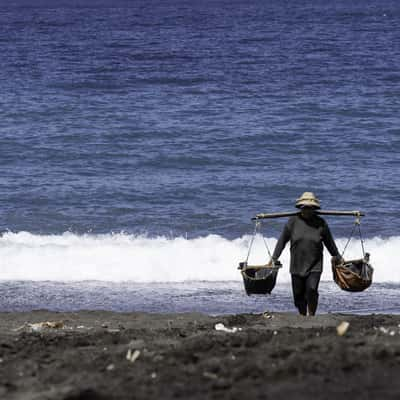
x: 306, y: 239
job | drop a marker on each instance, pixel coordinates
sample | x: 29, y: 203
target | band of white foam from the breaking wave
x: 123, y: 257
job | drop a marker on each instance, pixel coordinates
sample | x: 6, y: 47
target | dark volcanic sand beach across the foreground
x: 272, y: 356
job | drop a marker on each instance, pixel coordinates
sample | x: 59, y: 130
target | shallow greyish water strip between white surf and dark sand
x: 213, y: 298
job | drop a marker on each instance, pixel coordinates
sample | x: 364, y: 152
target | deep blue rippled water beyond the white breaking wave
x: 184, y: 117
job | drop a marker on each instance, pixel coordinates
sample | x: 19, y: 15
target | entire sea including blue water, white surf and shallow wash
x: 138, y: 138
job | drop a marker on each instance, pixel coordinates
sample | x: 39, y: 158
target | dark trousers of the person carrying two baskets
x: 305, y: 292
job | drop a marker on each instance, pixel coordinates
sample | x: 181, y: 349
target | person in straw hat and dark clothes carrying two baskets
x: 307, y: 232
